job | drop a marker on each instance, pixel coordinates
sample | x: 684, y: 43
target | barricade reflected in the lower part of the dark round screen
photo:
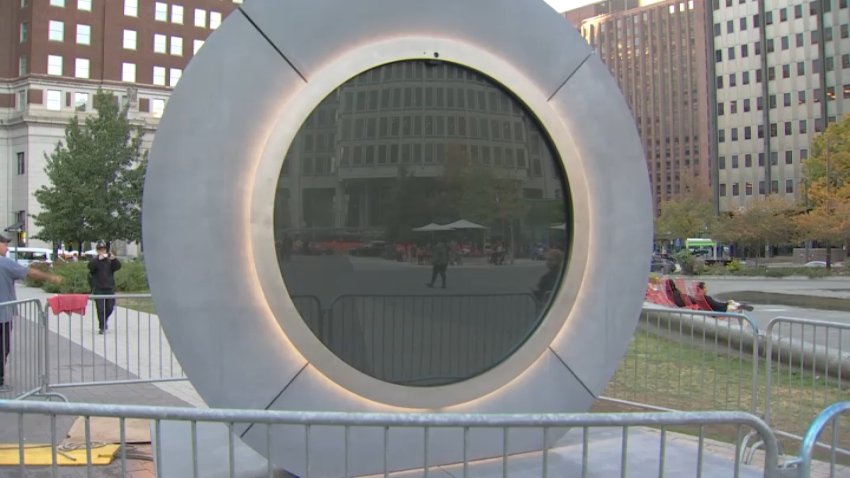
x: 422, y: 339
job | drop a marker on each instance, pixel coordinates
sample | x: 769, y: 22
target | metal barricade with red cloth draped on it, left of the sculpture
x: 132, y: 349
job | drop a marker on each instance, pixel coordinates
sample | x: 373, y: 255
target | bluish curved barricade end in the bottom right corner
x: 830, y: 421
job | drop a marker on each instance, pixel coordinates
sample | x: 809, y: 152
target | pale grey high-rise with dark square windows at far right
x: 782, y: 72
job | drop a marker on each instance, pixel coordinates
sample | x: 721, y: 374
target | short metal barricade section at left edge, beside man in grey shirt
x: 21, y: 338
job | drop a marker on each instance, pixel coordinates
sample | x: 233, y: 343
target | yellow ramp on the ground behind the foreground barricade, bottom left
x: 42, y: 455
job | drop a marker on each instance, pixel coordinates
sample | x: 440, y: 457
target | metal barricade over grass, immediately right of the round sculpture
x: 690, y: 360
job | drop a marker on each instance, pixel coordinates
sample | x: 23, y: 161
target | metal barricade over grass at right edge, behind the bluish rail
x: 807, y: 368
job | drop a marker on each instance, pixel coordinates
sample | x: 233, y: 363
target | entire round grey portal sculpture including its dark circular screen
x: 307, y: 194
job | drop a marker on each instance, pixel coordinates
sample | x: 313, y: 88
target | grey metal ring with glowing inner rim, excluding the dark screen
x: 209, y: 196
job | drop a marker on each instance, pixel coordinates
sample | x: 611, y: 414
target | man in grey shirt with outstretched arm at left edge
x: 10, y: 271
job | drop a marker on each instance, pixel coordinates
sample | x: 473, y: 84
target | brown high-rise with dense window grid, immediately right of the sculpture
x: 657, y: 54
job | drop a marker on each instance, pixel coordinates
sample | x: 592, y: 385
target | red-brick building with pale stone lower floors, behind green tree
x: 54, y: 56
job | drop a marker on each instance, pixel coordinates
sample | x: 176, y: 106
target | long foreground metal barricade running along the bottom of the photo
x: 579, y: 453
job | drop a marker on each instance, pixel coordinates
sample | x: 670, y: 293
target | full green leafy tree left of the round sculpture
x: 96, y: 177
